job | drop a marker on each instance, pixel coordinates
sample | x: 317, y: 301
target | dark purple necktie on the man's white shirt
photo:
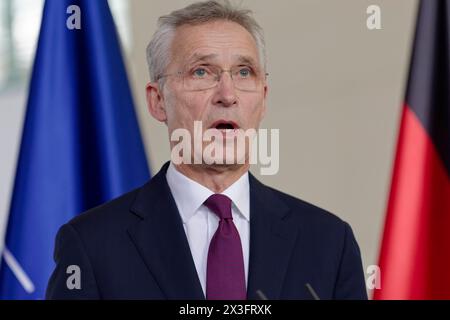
x: 225, y: 276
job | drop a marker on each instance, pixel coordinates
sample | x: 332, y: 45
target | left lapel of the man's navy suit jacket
x: 161, y: 241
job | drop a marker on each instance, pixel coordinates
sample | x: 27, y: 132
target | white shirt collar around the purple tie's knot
x: 190, y: 195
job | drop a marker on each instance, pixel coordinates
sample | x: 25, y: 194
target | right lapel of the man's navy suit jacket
x: 272, y: 239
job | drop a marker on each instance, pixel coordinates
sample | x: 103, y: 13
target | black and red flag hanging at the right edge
x: 415, y: 252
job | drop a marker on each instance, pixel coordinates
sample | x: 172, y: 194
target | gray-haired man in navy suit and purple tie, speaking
x: 206, y: 229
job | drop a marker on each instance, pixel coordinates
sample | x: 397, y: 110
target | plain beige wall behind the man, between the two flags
x: 336, y: 90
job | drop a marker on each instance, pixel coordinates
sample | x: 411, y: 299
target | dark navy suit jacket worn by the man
x: 135, y: 247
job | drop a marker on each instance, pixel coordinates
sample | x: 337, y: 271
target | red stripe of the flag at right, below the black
x: 415, y: 252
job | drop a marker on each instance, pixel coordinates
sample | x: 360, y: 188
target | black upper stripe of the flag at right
x: 429, y: 86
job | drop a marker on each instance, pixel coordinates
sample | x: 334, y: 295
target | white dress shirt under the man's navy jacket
x: 200, y: 223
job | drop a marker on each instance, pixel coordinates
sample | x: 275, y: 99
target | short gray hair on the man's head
x: 158, y: 50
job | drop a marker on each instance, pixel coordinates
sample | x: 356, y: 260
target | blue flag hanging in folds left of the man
x: 81, y: 144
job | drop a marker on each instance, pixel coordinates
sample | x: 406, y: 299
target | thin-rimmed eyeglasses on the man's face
x: 206, y: 77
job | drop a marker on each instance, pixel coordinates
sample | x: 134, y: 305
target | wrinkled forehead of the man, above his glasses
x: 220, y: 42
